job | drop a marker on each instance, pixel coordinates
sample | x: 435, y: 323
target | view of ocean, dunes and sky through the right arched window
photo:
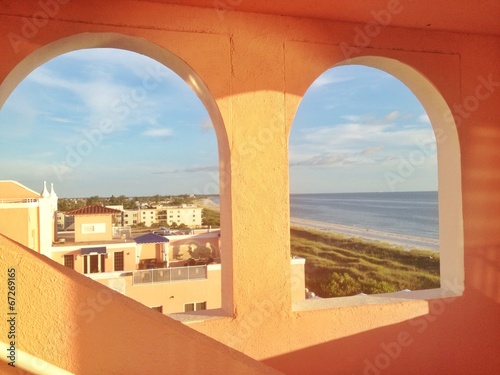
x: 364, y: 186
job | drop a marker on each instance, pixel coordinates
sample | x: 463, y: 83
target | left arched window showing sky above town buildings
x: 117, y: 128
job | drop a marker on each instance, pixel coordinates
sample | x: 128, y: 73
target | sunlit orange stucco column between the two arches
x: 258, y: 180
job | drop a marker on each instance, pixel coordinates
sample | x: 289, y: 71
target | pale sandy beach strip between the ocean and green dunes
x: 406, y: 241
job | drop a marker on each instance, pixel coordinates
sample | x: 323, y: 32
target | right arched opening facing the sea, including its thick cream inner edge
x: 403, y: 161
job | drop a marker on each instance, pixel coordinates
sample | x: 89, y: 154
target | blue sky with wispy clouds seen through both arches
x: 112, y: 122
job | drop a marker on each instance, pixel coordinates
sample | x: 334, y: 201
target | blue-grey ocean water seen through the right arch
x: 405, y: 213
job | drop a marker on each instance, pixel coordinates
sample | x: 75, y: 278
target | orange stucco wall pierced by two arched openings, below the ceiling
x: 256, y: 68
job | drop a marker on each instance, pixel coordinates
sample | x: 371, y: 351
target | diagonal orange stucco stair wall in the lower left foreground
x: 67, y: 319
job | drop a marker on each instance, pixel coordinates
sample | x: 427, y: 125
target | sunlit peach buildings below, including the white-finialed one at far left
x: 172, y: 274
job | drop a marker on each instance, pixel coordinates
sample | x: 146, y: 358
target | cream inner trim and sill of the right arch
x: 451, y: 234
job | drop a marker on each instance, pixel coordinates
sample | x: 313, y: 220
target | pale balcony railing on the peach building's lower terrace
x: 167, y: 275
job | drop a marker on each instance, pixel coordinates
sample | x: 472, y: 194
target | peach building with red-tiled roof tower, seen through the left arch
x: 170, y: 274
